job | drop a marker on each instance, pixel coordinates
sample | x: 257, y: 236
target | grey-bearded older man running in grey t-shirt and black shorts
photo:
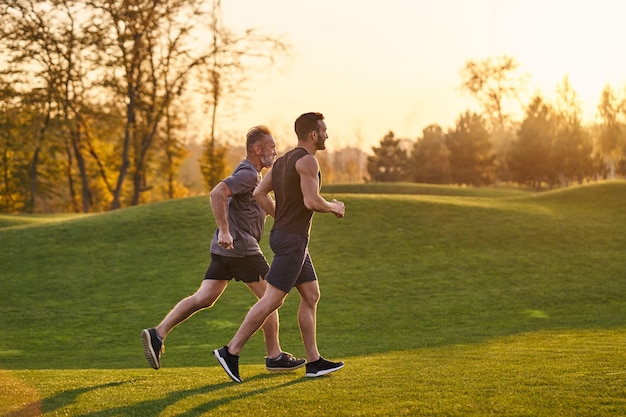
x: 235, y: 253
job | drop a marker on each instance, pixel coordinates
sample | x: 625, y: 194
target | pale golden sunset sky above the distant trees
x: 374, y: 66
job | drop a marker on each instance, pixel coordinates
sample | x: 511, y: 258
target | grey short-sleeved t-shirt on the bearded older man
x: 246, y: 219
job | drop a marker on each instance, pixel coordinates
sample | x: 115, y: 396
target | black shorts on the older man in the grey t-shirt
x: 247, y: 268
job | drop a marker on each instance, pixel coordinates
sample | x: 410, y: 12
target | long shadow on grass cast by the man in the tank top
x: 151, y: 407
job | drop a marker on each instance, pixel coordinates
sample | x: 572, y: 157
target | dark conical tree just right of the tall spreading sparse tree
x: 530, y: 158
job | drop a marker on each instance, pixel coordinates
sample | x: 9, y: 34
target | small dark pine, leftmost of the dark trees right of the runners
x: 389, y: 162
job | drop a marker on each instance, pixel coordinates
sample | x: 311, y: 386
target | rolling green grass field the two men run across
x: 440, y: 300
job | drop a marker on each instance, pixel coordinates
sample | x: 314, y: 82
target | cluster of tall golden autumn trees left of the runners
x: 94, y: 97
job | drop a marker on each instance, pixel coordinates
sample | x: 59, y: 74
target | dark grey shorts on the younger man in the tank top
x: 292, y: 264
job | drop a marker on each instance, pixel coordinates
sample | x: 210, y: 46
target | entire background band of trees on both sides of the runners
x: 95, y: 101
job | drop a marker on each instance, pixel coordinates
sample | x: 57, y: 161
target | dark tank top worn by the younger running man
x: 291, y: 215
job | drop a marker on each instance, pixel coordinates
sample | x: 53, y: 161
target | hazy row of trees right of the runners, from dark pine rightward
x: 549, y: 147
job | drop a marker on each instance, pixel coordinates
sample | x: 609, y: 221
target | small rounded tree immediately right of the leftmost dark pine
x: 430, y: 158
